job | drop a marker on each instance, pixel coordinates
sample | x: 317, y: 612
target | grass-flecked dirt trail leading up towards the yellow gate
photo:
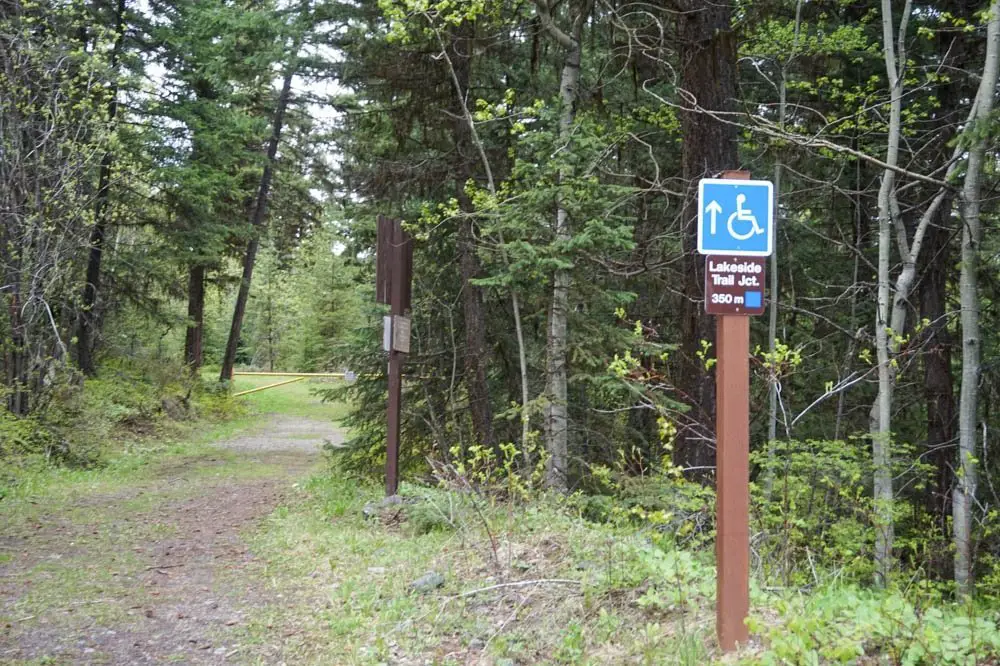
x: 159, y: 572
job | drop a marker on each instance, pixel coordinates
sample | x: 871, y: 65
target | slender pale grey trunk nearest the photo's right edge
x: 965, y: 491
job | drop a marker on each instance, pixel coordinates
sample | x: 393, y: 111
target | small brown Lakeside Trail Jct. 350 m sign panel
x: 734, y: 285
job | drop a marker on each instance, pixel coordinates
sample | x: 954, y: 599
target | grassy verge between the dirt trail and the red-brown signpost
x: 351, y: 576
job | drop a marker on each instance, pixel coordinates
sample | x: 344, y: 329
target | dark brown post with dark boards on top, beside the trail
x: 393, y: 279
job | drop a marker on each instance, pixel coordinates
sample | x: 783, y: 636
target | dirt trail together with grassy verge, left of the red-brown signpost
x: 239, y: 545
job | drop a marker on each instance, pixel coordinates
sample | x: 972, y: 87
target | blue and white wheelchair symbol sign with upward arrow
x: 735, y: 217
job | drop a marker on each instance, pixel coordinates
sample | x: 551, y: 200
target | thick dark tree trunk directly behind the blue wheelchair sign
x: 707, y: 53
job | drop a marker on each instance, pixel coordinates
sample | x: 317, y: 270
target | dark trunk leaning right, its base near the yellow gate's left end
x: 257, y: 223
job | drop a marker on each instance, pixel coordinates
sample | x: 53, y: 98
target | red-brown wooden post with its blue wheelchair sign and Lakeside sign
x: 730, y: 234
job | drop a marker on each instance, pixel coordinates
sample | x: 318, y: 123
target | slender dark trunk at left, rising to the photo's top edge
x: 86, y: 321
